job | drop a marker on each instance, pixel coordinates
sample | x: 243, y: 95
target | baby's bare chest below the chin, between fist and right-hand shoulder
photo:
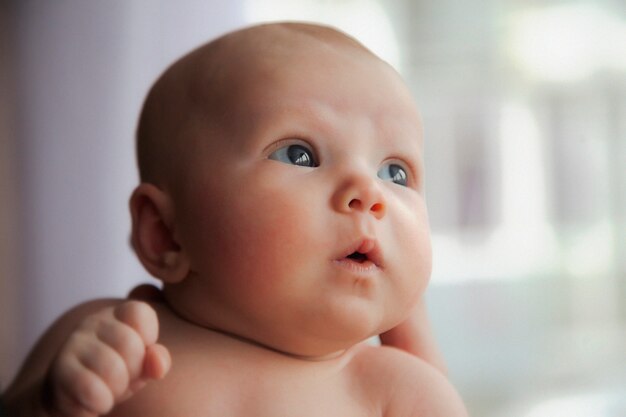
x: 231, y: 390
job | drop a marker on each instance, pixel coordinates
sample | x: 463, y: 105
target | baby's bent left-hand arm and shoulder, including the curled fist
x: 94, y: 357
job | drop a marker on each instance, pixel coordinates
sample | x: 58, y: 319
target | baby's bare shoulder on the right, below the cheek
x: 406, y: 385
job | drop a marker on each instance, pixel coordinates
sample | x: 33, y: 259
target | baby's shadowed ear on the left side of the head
x: 153, y: 235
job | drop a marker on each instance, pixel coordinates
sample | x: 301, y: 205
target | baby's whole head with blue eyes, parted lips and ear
x: 282, y: 189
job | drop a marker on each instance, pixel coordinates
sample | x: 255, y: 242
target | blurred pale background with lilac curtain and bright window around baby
x: 524, y: 106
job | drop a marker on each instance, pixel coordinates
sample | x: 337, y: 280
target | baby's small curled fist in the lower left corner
x: 111, y: 355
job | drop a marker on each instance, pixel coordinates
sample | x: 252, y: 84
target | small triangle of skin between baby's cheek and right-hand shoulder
x: 415, y: 336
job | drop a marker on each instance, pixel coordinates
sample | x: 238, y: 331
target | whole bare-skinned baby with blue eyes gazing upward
x: 282, y: 206
